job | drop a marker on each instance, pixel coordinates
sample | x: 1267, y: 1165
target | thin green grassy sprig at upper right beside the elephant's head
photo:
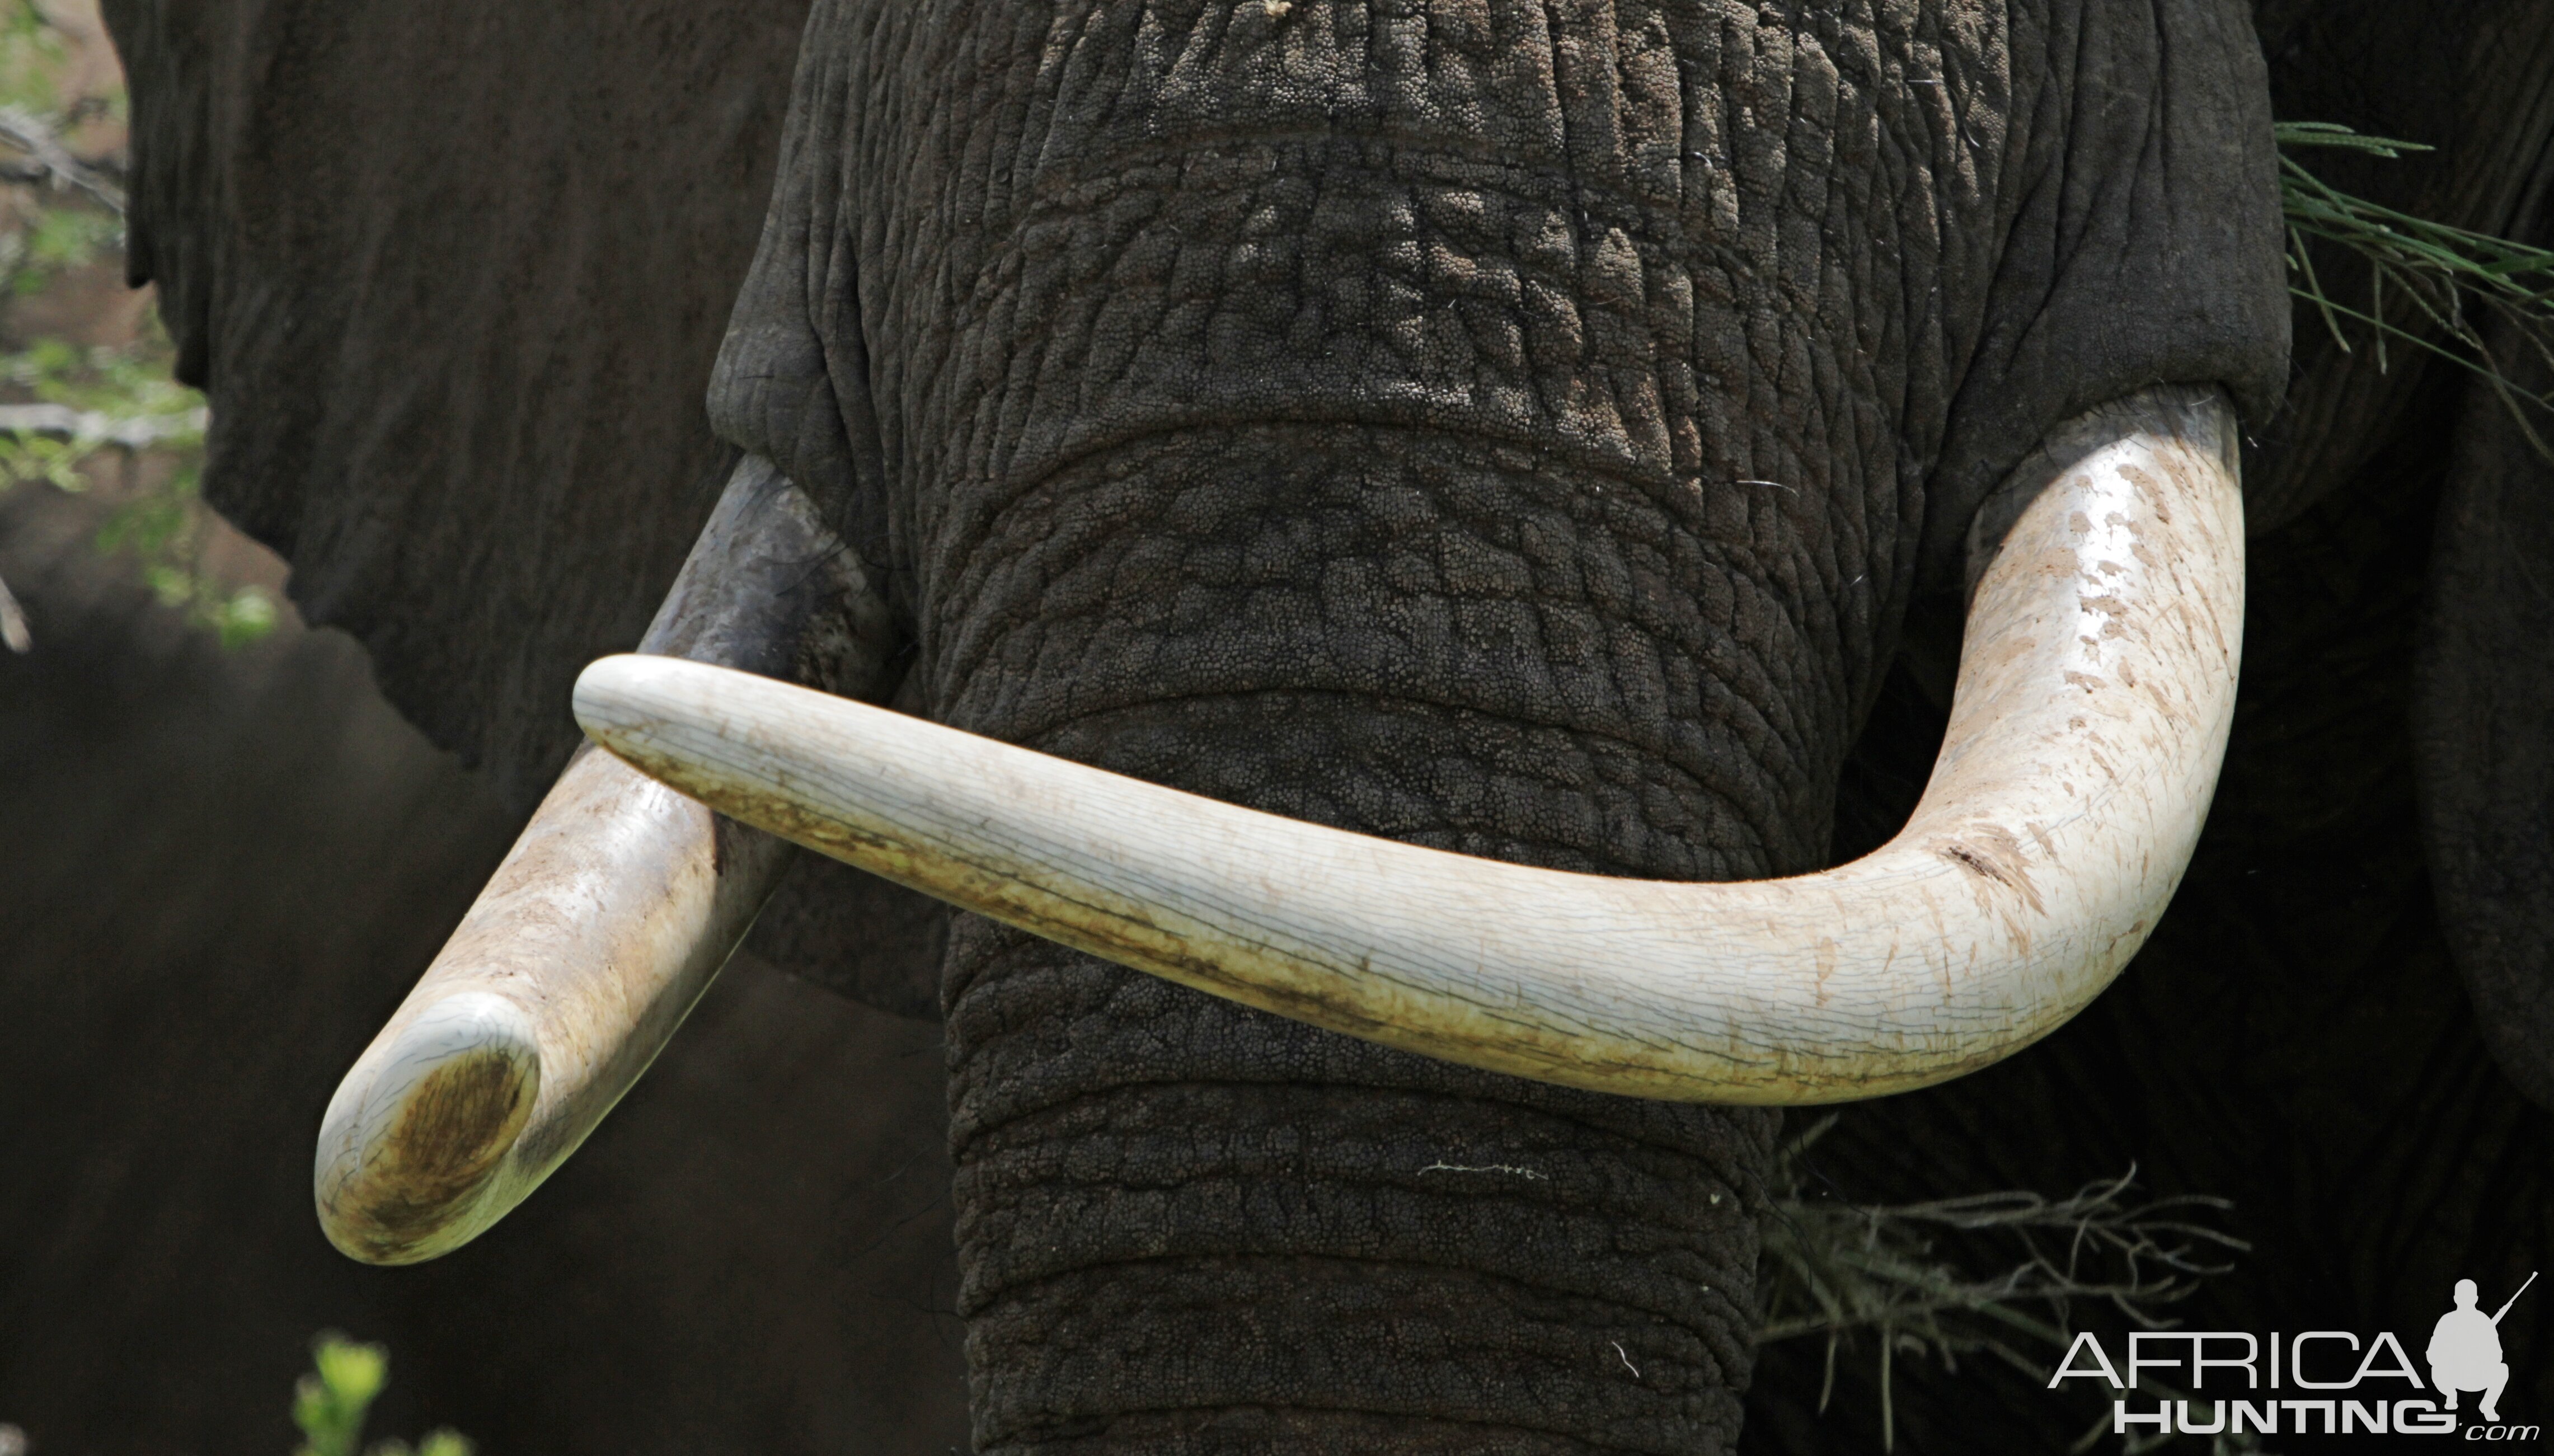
x: 2430, y: 287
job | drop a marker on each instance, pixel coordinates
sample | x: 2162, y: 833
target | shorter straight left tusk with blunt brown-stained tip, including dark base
x: 599, y: 931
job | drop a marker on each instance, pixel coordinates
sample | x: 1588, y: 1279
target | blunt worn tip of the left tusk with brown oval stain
x: 418, y: 1141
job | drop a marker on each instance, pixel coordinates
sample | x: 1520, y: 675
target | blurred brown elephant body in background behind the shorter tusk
x: 234, y: 857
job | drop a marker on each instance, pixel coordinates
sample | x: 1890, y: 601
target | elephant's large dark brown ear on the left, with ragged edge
x: 453, y: 280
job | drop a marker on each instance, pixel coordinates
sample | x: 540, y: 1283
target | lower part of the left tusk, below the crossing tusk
x: 594, y: 939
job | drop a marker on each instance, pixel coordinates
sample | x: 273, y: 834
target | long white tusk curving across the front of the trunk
x: 2093, y: 709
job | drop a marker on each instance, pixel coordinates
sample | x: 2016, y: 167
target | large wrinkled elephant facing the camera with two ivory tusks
x: 1575, y: 441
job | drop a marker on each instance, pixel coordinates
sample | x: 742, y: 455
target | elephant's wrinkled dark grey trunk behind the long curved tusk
x: 1191, y: 1225
